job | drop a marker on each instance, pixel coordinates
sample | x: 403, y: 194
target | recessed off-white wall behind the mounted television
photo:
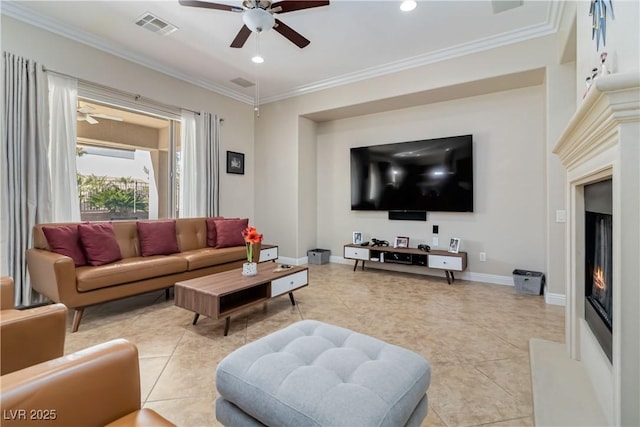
x: 508, y: 222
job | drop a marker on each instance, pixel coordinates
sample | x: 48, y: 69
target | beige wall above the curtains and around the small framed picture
x: 66, y: 56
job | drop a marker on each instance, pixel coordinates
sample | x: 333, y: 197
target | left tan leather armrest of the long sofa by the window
x: 53, y: 275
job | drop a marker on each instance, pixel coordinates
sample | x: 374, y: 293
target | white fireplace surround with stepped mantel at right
x: 602, y: 141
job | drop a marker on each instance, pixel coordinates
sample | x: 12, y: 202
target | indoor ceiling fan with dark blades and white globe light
x: 258, y: 16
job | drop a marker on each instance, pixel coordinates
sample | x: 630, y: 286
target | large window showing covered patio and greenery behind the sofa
x: 126, y: 162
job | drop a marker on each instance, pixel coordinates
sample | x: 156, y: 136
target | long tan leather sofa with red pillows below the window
x: 56, y: 276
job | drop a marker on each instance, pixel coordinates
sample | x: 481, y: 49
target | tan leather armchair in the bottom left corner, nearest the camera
x: 98, y: 386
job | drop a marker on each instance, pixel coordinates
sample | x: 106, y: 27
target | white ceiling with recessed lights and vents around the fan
x: 350, y: 40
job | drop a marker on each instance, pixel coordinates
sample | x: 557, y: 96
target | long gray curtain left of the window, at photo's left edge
x: 25, y: 185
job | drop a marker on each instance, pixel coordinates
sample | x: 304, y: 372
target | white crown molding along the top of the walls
x: 550, y: 26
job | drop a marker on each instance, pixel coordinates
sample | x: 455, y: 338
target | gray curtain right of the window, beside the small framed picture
x: 209, y: 136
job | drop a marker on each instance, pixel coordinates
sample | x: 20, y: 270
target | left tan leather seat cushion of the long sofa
x: 128, y: 270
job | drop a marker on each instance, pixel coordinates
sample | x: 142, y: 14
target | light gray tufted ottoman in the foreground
x: 314, y: 374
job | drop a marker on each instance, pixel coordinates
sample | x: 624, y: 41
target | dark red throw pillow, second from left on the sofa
x: 100, y: 244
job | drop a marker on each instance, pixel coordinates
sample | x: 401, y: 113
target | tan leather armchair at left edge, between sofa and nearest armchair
x: 28, y: 336
